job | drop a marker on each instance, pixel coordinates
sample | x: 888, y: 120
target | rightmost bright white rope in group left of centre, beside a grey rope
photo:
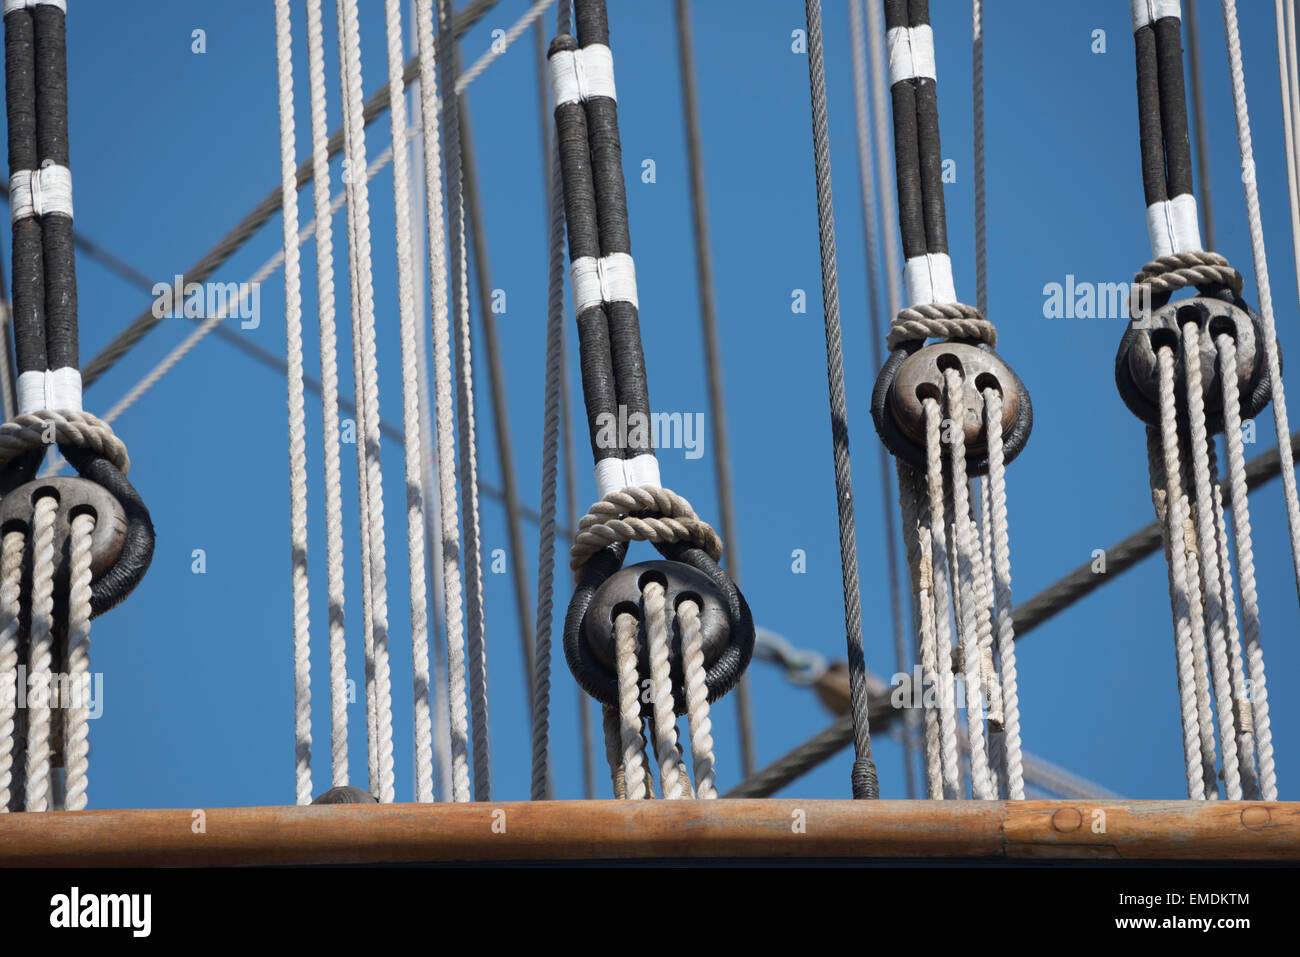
x: 436, y: 218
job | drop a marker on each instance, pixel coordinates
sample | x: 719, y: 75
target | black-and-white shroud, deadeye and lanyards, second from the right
x: 950, y: 412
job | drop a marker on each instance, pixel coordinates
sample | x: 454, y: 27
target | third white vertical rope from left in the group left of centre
x: 369, y: 396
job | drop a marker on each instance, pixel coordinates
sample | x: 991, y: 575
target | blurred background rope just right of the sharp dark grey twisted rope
x: 870, y: 219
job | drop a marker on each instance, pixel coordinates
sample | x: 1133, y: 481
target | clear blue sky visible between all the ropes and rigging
x: 172, y: 148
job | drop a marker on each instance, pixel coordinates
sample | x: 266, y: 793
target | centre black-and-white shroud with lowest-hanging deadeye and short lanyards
x: 682, y: 626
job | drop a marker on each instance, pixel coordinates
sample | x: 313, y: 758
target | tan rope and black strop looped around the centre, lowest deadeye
x: 665, y: 519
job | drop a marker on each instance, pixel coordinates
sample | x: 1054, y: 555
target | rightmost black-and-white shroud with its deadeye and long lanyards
x: 1190, y: 370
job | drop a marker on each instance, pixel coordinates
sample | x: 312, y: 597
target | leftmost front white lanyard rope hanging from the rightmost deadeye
x: 1168, y: 497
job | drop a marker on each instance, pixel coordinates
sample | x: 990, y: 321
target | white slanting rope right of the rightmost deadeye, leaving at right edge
x: 1262, y: 280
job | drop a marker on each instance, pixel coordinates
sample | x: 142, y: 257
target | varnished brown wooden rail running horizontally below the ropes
x: 647, y: 830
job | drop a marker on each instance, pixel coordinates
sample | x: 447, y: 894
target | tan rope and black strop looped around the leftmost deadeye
x: 101, y: 457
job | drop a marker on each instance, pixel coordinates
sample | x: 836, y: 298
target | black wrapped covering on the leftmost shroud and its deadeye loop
x: 45, y: 274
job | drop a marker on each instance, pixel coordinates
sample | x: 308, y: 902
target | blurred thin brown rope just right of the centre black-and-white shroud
x: 713, y: 353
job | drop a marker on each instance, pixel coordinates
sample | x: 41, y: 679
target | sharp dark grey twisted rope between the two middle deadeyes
x: 865, y: 785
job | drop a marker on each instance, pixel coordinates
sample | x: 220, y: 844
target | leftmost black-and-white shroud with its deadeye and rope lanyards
x: 73, y: 548
